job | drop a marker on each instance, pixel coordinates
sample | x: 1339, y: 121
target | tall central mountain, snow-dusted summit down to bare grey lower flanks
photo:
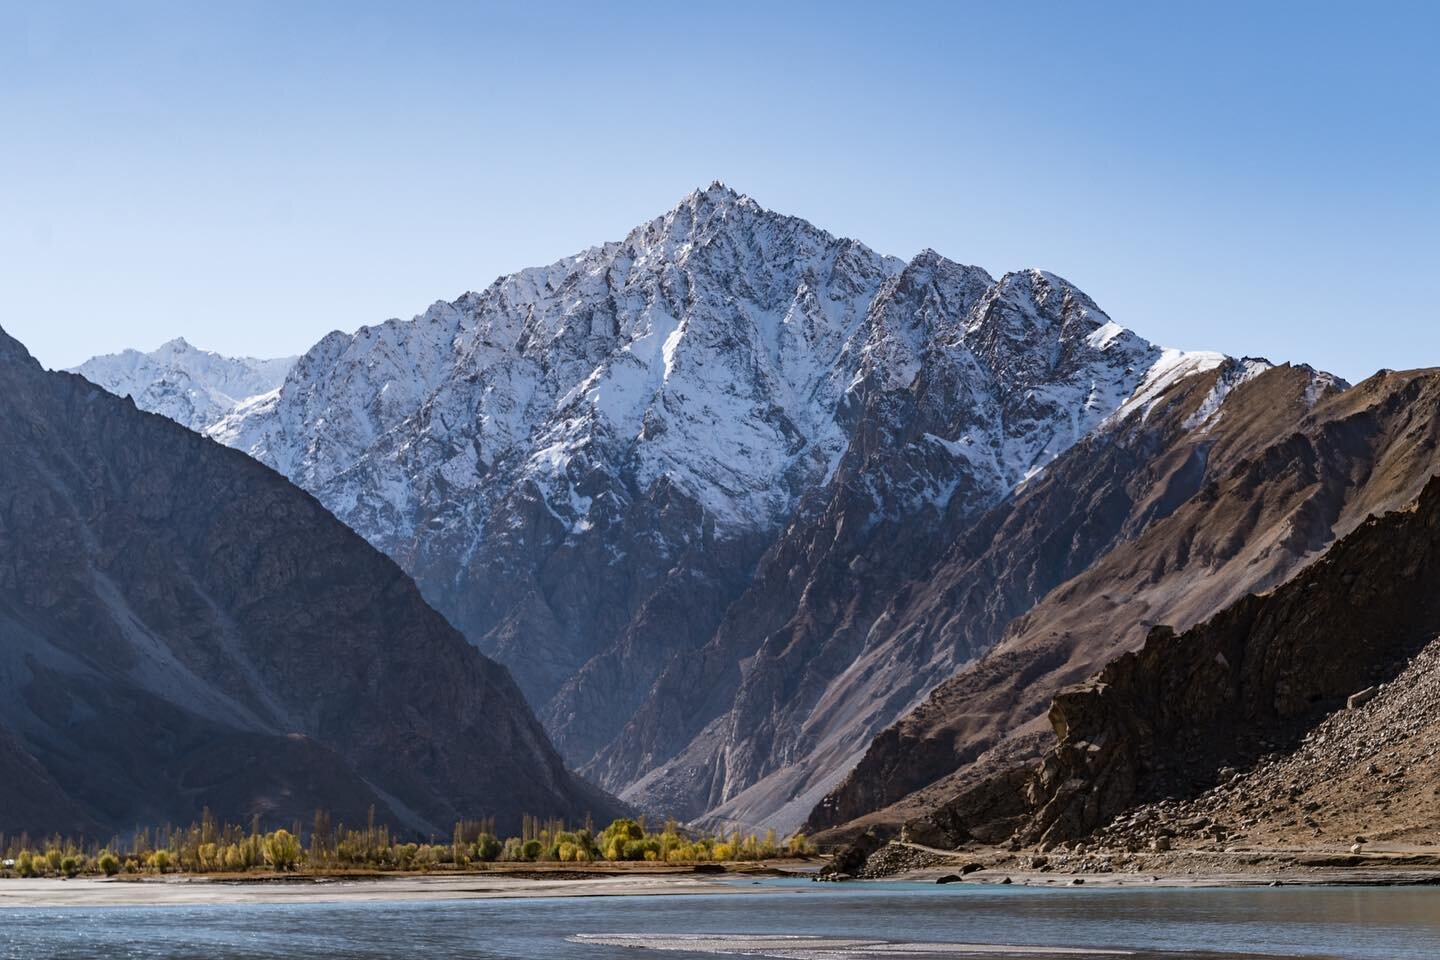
x: 673, y: 481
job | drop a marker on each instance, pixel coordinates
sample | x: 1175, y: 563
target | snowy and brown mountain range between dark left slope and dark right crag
x: 774, y: 530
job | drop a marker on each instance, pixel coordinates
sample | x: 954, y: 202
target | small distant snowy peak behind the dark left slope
x: 191, y: 386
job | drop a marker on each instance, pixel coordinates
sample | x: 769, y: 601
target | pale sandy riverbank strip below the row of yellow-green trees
x: 156, y: 892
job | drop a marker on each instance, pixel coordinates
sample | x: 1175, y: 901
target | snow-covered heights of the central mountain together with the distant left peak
x: 718, y: 346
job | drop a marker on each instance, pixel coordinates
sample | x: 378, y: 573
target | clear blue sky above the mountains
x: 1255, y: 178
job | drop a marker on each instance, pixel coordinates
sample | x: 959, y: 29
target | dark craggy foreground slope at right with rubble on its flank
x: 1243, y: 690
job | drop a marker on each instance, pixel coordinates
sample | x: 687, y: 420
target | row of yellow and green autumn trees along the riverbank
x: 212, y: 848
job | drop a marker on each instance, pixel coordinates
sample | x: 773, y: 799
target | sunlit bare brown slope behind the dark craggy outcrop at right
x: 1207, y: 516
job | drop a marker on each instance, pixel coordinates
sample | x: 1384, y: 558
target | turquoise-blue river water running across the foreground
x: 1287, y: 922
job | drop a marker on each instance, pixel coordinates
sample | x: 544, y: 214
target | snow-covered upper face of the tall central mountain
x: 712, y: 348
